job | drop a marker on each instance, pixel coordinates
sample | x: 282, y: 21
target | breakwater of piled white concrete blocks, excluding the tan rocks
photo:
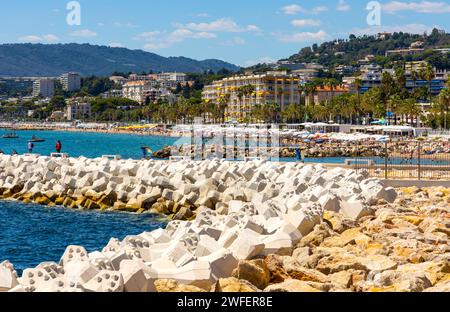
x: 235, y: 212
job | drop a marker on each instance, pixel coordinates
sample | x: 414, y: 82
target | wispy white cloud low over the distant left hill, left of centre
x: 155, y: 40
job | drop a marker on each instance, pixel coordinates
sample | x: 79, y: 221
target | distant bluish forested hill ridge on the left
x: 55, y: 59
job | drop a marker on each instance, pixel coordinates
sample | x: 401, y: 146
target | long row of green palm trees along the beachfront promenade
x: 353, y: 108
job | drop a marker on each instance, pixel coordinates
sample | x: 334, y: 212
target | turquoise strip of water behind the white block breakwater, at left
x: 86, y: 144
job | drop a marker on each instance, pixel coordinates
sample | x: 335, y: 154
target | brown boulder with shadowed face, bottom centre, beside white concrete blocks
x: 253, y: 271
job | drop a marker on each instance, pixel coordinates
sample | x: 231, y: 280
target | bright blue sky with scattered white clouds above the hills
x: 243, y: 32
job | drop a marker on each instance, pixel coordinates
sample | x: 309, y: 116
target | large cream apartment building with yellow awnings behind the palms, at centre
x: 271, y: 87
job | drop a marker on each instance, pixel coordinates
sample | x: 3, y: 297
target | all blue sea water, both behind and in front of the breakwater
x: 31, y: 234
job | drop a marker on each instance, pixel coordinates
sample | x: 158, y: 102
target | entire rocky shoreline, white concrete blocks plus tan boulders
x: 253, y: 226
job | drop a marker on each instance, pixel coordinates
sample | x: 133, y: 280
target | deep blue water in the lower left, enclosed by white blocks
x: 32, y: 234
